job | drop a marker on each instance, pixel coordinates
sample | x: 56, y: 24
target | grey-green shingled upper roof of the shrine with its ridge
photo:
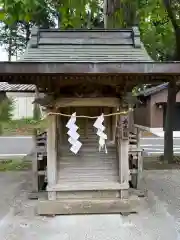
x: 54, y: 45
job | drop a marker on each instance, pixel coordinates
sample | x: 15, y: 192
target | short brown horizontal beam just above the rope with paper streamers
x: 87, y: 102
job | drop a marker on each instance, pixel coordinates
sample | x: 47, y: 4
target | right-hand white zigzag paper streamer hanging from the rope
x: 100, y: 132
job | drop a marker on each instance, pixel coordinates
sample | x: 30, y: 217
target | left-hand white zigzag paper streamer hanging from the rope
x: 73, y: 135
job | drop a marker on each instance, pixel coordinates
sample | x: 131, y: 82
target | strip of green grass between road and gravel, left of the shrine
x: 14, y: 165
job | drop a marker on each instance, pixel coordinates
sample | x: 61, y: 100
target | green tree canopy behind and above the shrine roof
x: 158, y: 20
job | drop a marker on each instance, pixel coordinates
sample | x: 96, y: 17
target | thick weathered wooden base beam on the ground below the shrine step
x: 90, y: 206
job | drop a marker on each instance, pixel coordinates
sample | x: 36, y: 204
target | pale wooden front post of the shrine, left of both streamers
x: 51, y: 155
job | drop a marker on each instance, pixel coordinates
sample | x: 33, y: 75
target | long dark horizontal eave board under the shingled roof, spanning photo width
x: 161, y: 68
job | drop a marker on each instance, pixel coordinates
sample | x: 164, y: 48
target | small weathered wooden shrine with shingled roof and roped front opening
x: 87, y: 72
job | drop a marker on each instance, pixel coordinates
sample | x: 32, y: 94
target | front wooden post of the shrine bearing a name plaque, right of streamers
x: 123, y: 154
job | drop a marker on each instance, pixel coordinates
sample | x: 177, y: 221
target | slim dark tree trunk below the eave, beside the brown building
x: 168, y: 133
